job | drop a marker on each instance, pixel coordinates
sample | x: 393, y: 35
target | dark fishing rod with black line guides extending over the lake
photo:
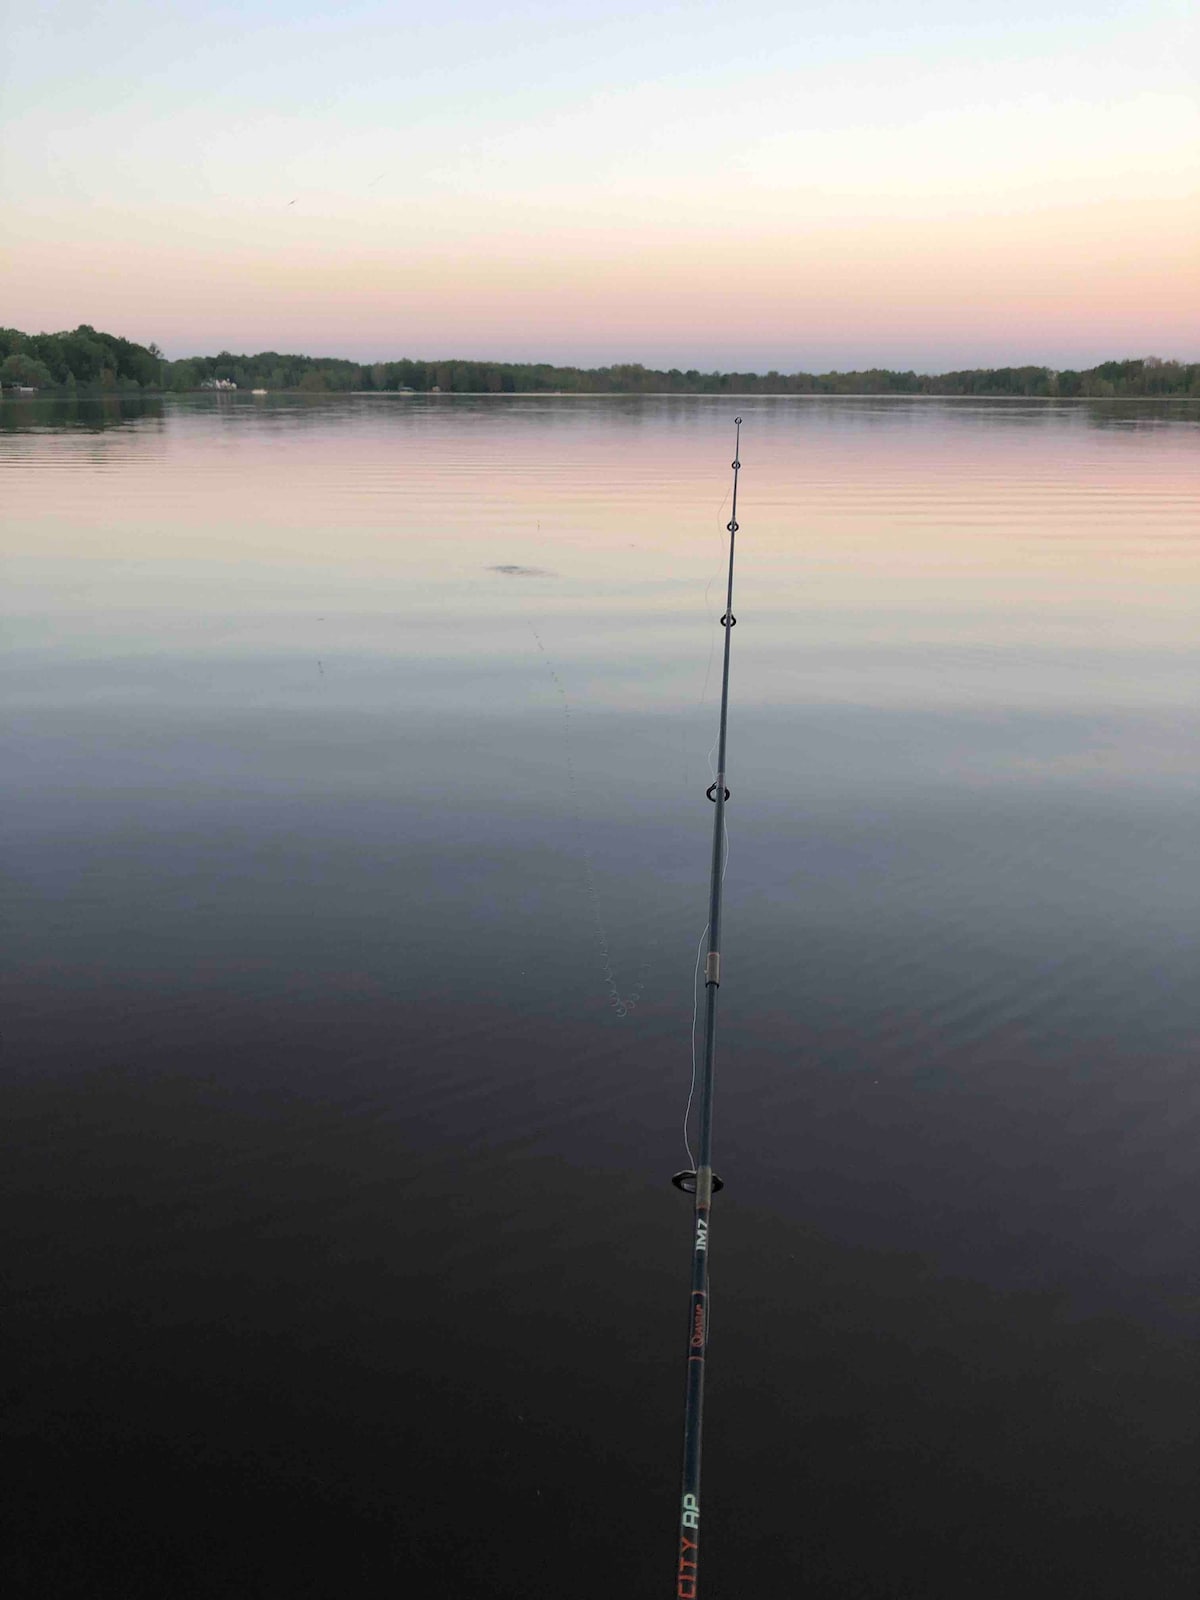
x: 703, y: 1182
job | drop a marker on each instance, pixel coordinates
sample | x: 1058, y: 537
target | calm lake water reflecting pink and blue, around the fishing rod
x: 358, y: 858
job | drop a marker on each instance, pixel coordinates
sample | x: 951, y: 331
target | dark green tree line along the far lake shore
x: 102, y: 361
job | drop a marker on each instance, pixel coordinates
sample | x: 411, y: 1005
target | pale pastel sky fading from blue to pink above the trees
x: 700, y: 185
